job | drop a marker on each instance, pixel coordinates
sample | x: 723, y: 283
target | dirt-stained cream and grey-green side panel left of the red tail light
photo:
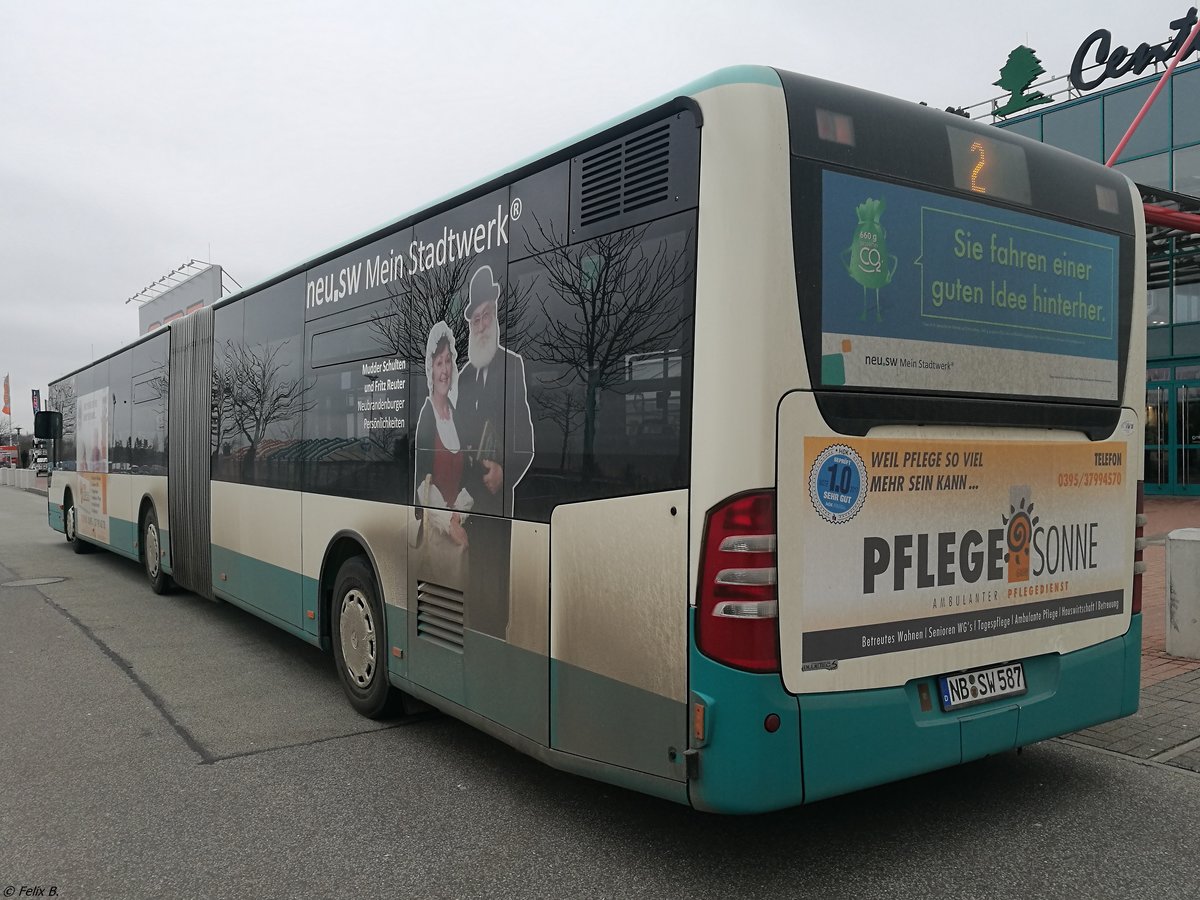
x: 619, y: 632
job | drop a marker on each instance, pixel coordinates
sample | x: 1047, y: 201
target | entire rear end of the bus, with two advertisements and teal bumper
x: 916, y: 457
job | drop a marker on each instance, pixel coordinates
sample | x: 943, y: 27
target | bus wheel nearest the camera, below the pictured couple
x: 359, y: 638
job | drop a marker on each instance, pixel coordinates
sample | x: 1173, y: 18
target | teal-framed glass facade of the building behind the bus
x: 1163, y: 158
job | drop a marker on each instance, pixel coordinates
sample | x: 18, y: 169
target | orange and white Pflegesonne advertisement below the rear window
x: 917, y: 544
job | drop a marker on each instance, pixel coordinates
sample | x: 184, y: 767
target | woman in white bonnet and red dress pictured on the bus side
x: 441, y: 465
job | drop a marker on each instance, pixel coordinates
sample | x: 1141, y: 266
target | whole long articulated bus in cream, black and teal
x: 776, y: 441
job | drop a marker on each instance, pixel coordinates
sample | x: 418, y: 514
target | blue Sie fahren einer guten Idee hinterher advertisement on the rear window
x: 927, y: 292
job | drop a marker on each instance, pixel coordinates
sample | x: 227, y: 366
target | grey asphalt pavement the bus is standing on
x: 176, y: 748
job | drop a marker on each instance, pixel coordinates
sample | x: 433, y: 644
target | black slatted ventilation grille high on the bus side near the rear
x: 623, y: 178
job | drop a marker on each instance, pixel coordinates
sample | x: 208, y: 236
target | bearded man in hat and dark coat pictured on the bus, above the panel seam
x: 491, y: 385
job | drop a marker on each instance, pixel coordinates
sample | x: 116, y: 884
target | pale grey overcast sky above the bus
x: 137, y: 136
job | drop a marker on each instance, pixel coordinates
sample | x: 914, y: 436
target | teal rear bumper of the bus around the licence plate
x: 830, y: 745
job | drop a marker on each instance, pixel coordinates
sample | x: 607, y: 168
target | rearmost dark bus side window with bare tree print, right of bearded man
x: 608, y: 424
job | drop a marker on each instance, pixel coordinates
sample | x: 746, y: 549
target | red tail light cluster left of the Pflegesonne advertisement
x: 739, y: 603
